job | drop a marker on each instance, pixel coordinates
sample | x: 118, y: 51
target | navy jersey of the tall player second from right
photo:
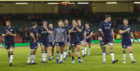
x: 106, y: 28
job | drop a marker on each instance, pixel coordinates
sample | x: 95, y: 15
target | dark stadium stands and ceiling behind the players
x: 23, y: 12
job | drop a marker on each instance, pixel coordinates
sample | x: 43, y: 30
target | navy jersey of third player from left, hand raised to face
x: 43, y: 33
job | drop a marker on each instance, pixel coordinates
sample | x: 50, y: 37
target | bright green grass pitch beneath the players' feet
x: 91, y: 63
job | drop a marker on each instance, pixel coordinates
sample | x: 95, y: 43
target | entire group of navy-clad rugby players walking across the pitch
x: 68, y: 38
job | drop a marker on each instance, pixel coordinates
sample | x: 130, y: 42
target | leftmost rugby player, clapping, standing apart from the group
x: 8, y: 34
